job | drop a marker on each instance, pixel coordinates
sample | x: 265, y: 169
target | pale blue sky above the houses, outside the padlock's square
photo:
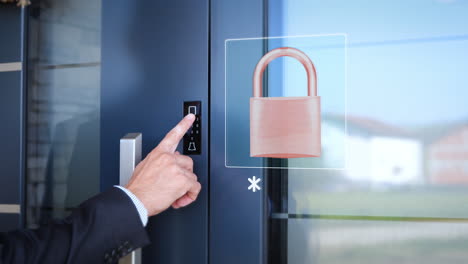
x: 407, y: 61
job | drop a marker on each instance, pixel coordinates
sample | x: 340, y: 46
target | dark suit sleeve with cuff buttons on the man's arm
x: 101, y: 230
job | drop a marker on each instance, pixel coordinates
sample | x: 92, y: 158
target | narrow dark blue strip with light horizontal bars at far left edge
x: 12, y: 115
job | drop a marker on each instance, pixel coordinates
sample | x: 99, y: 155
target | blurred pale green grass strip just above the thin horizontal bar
x: 433, y: 204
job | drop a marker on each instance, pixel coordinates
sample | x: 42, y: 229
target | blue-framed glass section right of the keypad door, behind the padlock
x: 391, y: 181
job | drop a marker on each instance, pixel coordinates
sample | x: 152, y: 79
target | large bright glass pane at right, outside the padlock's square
x: 404, y: 192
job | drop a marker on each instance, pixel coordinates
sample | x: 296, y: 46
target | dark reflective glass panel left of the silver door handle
x: 63, y: 107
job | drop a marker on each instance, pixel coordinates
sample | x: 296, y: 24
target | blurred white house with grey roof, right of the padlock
x: 379, y: 153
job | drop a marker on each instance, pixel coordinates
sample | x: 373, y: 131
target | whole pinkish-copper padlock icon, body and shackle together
x: 285, y: 127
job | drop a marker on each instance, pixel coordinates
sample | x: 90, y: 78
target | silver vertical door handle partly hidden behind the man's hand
x: 130, y: 156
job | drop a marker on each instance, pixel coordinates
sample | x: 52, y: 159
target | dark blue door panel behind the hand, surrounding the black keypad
x: 155, y: 56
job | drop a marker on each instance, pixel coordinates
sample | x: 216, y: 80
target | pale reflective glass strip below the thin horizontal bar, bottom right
x: 357, y: 241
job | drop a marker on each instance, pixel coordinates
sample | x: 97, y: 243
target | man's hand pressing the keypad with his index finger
x: 166, y: 177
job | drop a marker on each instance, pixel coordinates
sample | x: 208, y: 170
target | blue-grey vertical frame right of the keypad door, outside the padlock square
x: 236, y: 214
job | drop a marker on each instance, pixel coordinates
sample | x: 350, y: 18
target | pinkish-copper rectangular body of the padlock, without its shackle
x: 285, y: 127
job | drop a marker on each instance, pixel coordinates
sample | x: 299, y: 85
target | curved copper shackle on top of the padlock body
x: 280, y: 52
